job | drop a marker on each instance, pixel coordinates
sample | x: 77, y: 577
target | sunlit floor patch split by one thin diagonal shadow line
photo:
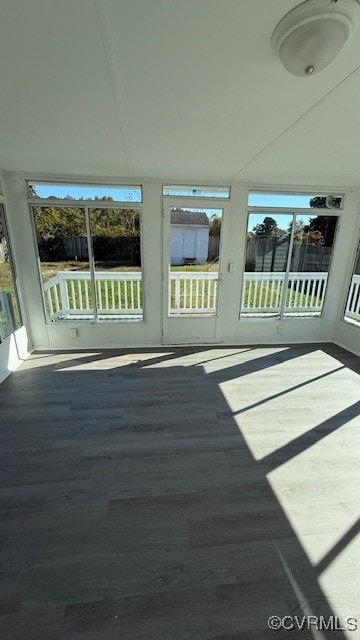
x: 272, y: 410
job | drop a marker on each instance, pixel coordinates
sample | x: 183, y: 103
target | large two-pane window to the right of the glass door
x: 287, y: 263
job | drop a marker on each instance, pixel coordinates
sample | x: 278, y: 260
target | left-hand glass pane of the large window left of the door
x: 64, y: 263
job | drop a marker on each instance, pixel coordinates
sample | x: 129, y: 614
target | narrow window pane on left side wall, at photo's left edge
x: 10, y: 318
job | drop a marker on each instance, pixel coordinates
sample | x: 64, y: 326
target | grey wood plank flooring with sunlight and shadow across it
x: 179, y: 493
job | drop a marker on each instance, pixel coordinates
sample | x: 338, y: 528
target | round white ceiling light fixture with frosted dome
x: 310, y: 36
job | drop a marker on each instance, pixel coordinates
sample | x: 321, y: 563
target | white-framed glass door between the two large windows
x: 192, y: 271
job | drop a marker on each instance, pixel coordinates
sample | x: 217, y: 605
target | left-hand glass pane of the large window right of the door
x: 267, y: 248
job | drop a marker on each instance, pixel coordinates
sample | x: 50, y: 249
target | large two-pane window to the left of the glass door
x: 90, y: 261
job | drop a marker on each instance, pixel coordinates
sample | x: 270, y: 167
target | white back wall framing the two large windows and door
x: 230, y: 328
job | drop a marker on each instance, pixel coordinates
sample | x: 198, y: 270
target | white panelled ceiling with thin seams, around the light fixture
x: 185, y: 90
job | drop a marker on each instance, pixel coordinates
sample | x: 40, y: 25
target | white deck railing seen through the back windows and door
x: 69, y: 294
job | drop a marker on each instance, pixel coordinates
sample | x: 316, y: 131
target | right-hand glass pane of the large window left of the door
x: 117, y: 256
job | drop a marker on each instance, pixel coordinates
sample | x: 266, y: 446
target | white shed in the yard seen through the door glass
x: 189, y: 237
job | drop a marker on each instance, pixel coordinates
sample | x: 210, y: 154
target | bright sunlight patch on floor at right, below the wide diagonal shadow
x: 318, y: 491
